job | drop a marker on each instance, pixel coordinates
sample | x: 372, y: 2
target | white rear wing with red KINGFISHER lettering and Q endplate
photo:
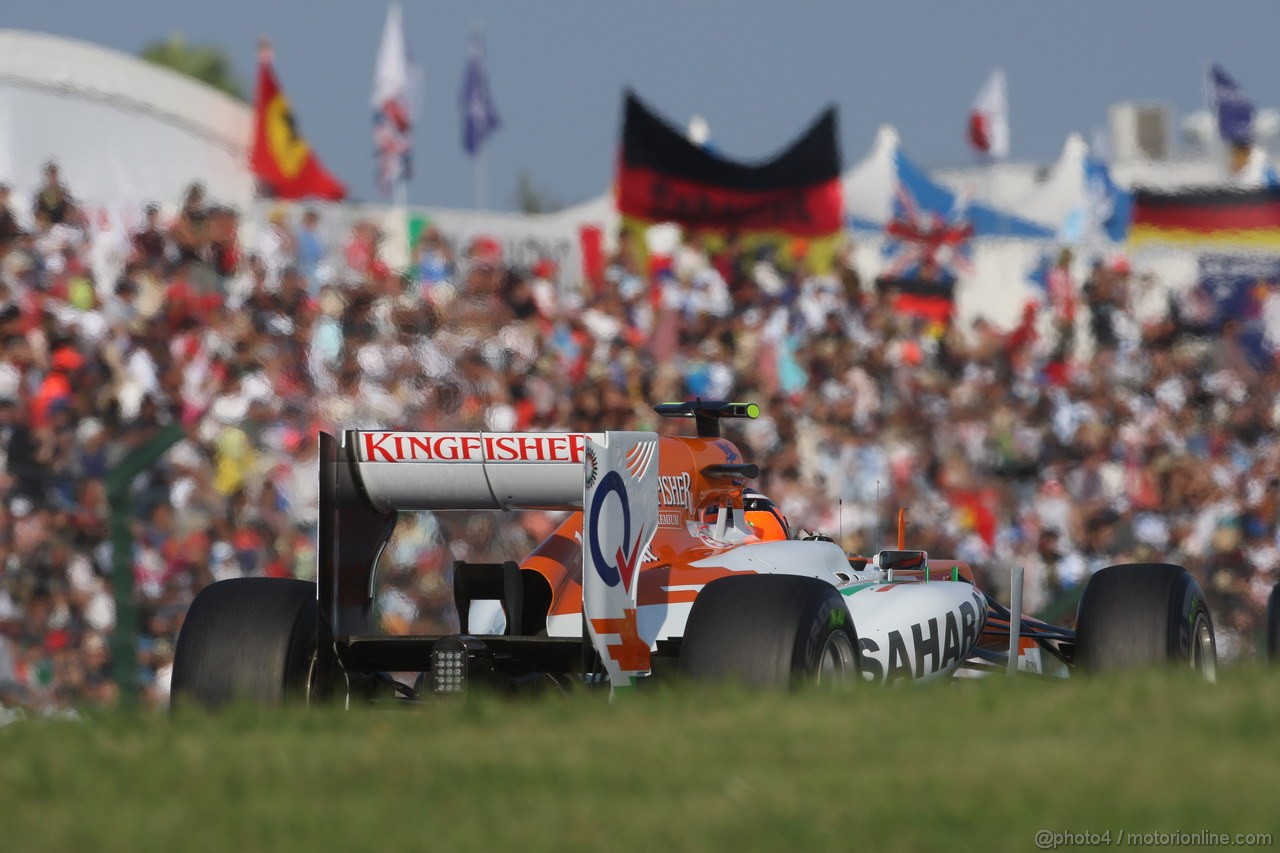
x: 368, y: 477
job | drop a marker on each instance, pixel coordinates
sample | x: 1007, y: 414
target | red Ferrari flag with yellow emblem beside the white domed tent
x: 282, y: 161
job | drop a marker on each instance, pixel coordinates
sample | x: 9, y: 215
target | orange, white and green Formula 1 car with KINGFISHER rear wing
x: 668, y: 564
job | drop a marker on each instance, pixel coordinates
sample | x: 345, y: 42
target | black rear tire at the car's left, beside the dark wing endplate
x: 249, y: 640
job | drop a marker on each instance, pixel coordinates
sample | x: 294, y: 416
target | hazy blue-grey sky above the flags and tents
x: 758, y: 71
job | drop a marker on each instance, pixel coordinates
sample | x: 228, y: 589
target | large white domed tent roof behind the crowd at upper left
x: 124, y: 131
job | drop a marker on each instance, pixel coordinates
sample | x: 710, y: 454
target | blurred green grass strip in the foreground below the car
x: 972, y: 767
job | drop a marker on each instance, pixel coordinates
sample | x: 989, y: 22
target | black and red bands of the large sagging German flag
x: 664, y: 177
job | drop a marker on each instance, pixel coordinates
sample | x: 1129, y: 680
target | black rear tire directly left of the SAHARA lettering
x: 770, y: 632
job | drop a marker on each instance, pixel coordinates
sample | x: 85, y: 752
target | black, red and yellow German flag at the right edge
x: 1219, y: 218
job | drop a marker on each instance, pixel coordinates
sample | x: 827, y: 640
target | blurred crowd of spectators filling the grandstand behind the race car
x: 1078, y: 440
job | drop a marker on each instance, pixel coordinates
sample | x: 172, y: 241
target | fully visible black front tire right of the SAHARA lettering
x: 1145, y: 615
